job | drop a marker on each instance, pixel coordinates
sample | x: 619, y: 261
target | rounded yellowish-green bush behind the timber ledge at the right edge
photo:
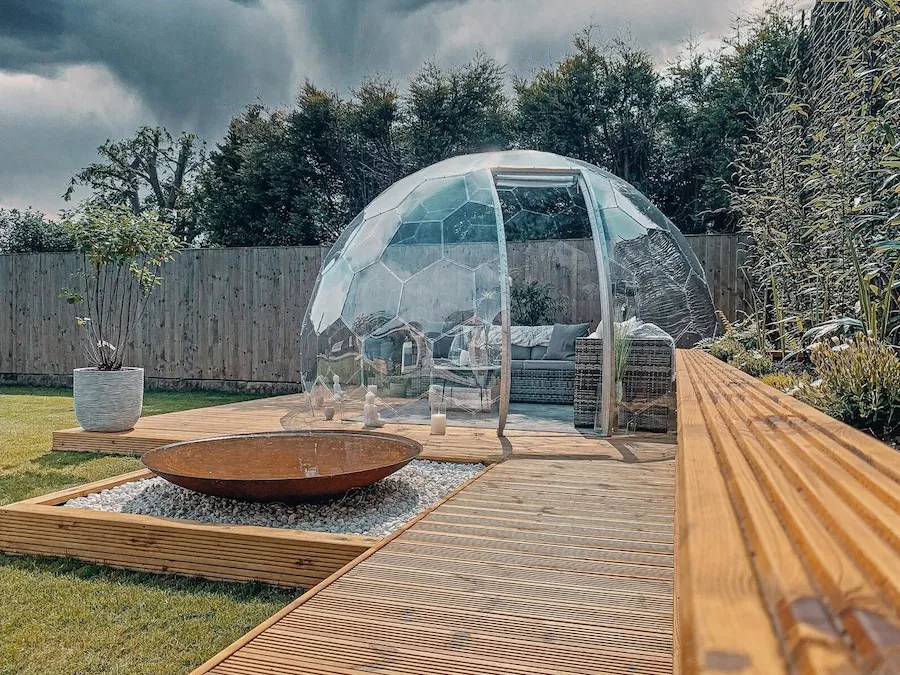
x: 859, y: 383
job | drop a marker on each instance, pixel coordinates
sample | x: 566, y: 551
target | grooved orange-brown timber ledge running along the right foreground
x: 787, y: 535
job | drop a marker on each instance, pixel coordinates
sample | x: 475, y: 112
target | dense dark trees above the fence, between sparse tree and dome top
x: 297, y: 177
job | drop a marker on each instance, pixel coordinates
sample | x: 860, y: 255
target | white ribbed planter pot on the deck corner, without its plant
x: 108, y: 400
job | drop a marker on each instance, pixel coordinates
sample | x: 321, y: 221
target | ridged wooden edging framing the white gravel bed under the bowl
x: 293, y: 558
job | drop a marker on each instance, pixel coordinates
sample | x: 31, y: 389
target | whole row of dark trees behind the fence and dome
x: 297, y: 175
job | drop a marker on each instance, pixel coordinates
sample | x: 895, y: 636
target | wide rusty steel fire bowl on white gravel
x: 287, y: 466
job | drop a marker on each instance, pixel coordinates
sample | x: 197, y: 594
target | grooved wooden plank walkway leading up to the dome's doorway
x: 540, y: 566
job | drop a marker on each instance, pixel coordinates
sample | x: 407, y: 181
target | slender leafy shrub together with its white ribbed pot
x: 121, y: 254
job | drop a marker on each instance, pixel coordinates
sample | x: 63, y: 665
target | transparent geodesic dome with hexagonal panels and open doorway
x: 422, y: 266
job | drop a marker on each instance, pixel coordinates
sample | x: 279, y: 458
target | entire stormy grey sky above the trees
x: 76, y: 72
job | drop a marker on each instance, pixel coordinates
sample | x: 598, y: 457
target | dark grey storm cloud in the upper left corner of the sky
x: 190, y: 61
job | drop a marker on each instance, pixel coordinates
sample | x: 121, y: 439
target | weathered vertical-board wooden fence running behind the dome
x: 236, y: 314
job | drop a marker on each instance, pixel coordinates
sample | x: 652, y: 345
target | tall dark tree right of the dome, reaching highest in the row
x: 711, y: 106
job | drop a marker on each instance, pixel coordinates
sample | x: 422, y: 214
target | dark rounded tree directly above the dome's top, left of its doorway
x: 457, y: 111
